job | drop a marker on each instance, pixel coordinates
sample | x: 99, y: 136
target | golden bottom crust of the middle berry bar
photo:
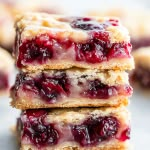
x: 24, y: 104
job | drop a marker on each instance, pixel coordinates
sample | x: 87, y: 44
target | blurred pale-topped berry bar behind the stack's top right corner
x: 138, y: 25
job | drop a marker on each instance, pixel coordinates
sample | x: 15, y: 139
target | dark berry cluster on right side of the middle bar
x: 98, y: 90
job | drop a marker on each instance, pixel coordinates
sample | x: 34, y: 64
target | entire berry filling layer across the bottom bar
x: 33, y: 128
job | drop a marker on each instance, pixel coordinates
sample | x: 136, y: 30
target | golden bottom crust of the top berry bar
x: 114, y: 64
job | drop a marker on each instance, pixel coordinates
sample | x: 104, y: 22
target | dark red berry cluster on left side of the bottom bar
x: 37, y: 130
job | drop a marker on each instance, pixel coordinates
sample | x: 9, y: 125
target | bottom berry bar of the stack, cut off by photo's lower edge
x: 74, y: 129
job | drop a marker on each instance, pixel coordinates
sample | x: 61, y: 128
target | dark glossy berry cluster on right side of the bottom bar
x: 93, y: 131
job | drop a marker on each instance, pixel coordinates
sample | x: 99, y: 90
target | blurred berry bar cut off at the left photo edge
x: 6, y: 68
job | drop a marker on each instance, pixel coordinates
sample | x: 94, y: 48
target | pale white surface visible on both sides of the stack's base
x: 140, y: 112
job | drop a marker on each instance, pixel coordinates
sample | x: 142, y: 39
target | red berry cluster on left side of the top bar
x: 38, y: 49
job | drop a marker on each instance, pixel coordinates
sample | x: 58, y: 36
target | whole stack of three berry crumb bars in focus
x: 72, y: 87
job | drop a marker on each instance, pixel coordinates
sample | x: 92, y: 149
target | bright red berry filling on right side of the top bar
x: 99, y: 49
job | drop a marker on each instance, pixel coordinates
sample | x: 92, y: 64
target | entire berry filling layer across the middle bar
x: 55, y: 87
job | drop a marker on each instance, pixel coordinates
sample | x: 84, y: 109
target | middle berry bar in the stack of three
x: 70, y: 88
